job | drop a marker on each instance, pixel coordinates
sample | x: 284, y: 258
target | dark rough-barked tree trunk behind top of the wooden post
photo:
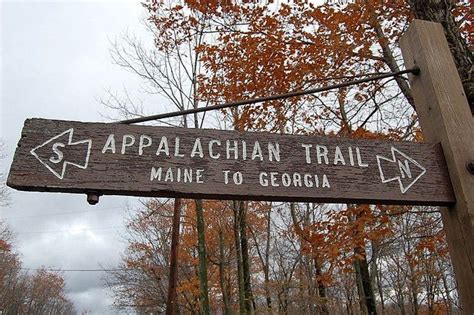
x: 440, y: 11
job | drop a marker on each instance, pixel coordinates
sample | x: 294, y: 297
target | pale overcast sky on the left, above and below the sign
x: 55, y: 63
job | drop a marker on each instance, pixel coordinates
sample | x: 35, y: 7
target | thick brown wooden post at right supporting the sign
x: 445, y: 117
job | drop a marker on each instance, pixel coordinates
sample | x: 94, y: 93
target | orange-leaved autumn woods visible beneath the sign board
x: 408, y: 255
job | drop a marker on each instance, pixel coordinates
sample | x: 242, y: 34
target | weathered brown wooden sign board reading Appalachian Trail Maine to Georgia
x: 118, y: 159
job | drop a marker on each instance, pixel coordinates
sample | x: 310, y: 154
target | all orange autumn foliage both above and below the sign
x: 298, y: 258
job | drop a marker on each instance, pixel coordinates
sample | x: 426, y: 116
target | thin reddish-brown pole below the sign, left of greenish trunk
x: 173, y: 277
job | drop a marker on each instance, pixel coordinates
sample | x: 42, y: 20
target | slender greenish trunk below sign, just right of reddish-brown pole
x: 204, y: 298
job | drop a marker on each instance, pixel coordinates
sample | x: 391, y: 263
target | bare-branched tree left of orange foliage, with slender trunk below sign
x: 170, y: 69
